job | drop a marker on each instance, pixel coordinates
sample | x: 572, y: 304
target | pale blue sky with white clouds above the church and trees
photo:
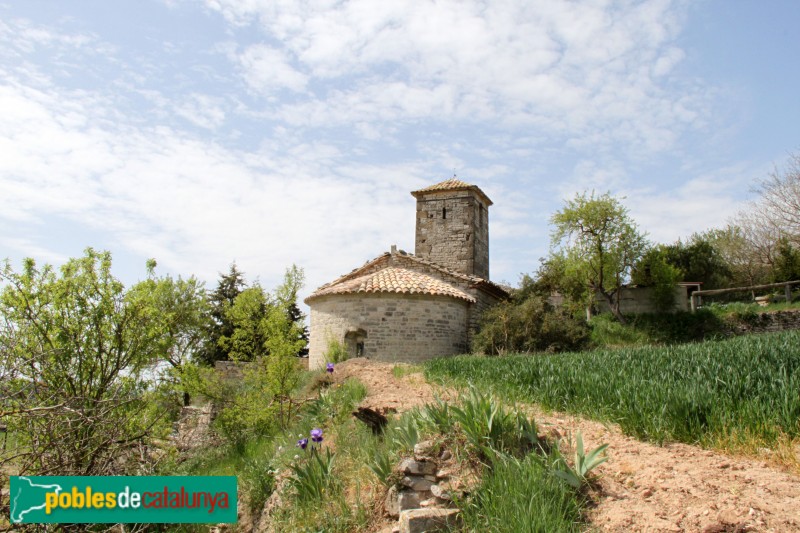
x: 275, y: 132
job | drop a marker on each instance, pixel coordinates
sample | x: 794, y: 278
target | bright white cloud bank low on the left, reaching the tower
x: 194, y: 204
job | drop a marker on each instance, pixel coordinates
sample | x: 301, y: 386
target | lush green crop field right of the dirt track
x: 740, y: 391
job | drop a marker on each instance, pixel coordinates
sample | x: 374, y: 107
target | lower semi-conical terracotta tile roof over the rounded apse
x: 392, y: 279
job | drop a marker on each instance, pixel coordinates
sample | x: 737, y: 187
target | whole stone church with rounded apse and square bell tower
x: 413, y: 307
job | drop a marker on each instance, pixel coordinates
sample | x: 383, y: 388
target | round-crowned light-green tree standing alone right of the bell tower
x: 598, y: 244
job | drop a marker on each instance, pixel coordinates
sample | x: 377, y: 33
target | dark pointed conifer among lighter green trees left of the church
x: 230, y: 285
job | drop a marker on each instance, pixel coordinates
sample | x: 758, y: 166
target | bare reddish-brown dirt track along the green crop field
x: 642, y: 487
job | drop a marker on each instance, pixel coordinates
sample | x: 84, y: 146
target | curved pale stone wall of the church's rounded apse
x: 399, y: 327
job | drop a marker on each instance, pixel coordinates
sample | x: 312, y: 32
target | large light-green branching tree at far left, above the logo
x: 75, y: 346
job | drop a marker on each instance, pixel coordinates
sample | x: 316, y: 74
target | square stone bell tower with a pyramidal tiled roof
x: 453, y: 227
